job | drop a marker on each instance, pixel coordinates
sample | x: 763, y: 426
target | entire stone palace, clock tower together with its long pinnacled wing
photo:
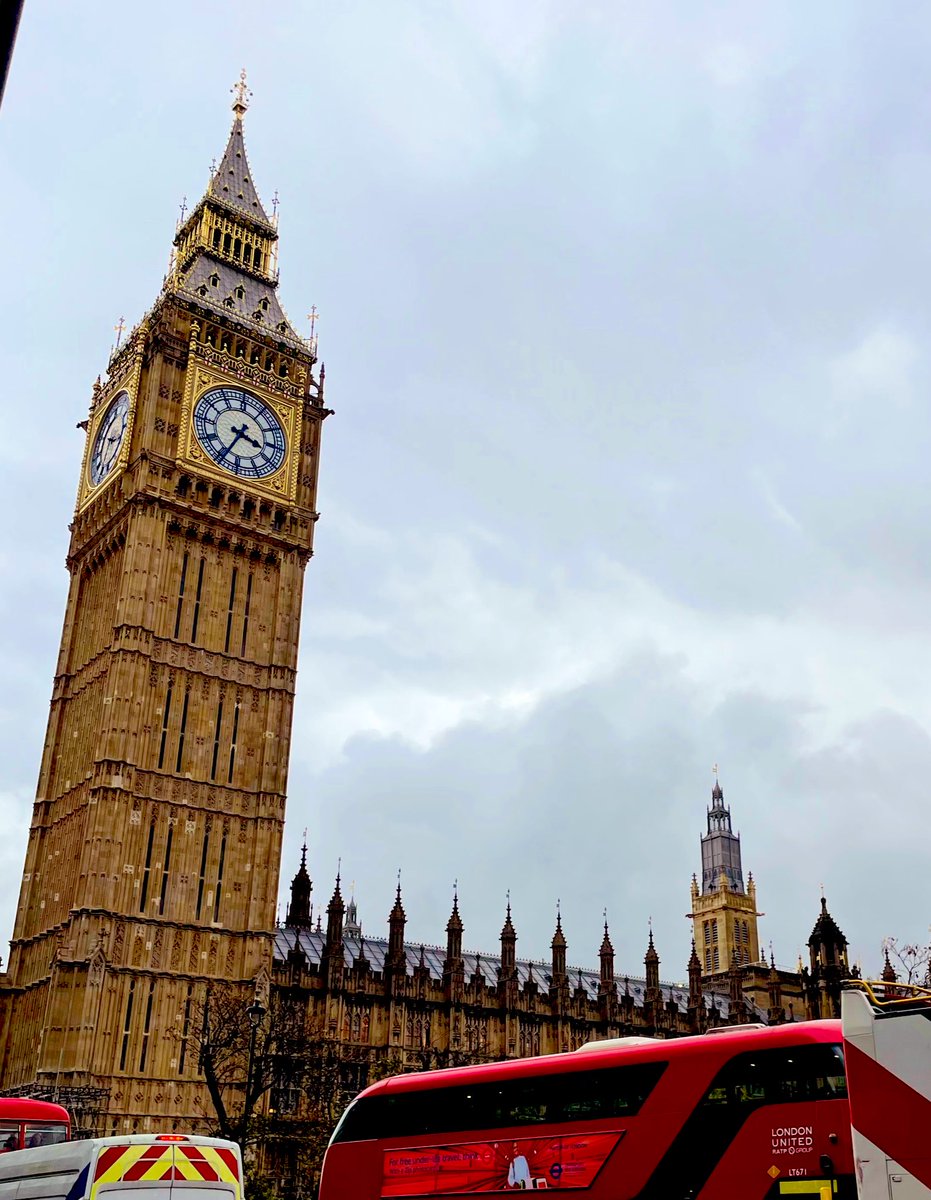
x: 154, y: 850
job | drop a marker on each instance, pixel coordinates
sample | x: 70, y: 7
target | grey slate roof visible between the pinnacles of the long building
x: 313, y: 943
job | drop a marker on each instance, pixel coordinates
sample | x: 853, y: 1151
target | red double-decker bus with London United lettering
x: 743, y: 1114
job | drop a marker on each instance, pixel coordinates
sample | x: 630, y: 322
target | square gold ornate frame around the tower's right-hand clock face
x: 283, y: 484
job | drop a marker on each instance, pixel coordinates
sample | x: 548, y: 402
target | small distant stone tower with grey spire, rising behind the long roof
x: 724, y: 911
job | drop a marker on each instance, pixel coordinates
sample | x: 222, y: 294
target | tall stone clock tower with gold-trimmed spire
x: 154, y: 850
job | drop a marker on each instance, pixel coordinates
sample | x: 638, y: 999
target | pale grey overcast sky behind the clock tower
x: 626, y: 319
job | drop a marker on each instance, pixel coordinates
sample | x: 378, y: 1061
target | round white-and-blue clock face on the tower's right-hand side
x: 241, y: 433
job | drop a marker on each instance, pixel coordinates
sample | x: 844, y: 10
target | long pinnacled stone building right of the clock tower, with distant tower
x: 387, y: 1000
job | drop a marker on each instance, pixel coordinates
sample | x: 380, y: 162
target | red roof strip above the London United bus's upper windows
x: 724, y: 1045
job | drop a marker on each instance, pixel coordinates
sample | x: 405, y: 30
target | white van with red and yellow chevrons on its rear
x: 141, y: 1167
